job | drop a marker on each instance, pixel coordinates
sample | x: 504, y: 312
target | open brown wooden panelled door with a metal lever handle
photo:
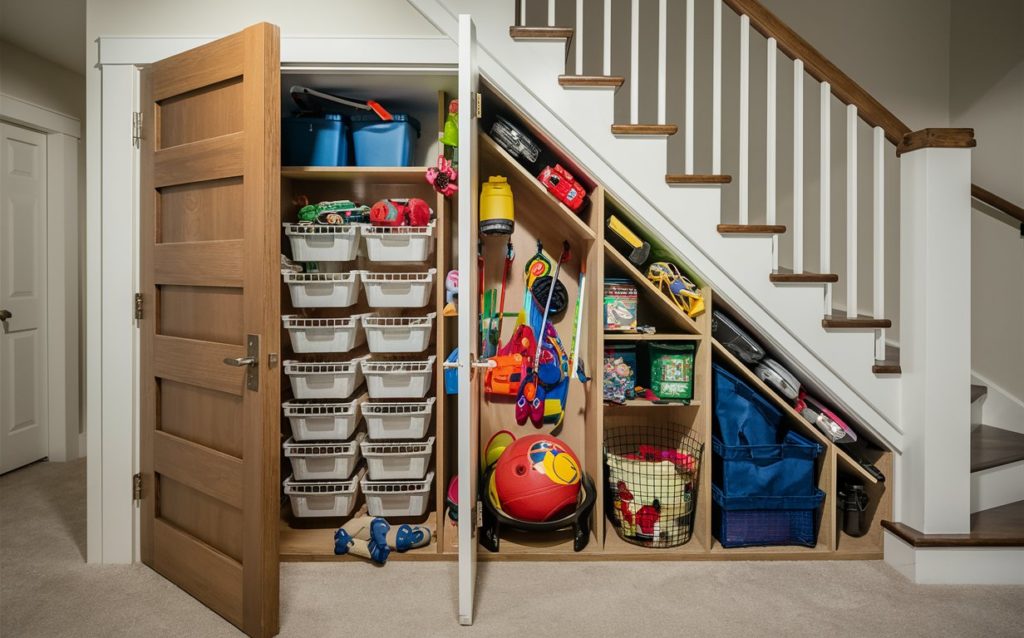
x: 210, y: 246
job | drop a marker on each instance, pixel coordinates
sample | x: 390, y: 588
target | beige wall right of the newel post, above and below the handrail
x: 988, y: 94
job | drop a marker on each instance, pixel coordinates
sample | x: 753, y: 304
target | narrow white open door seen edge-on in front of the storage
x: 470, y: 347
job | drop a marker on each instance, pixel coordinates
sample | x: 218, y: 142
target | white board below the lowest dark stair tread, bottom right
x: 956, y: 566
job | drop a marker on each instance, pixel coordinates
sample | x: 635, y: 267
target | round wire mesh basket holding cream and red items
x: 652, y: 475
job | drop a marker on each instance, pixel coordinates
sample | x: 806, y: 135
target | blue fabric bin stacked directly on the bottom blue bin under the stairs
x: 780, y: 471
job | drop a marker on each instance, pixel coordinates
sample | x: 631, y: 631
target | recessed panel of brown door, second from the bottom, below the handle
x: 201, y: 415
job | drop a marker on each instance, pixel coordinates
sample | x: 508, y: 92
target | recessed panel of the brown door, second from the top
x: 201, y: 212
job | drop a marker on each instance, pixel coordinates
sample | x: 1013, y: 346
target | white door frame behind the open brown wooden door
x: 112, y: 275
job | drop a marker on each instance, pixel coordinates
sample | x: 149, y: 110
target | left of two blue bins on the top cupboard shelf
x: 315, y: 142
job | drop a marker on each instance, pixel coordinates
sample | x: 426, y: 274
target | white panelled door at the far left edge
x: 23, y: 297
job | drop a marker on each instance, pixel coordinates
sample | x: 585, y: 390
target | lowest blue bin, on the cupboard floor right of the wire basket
x: 750, y: 522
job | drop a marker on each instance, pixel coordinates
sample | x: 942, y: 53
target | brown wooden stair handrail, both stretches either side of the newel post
x: 843, y: 87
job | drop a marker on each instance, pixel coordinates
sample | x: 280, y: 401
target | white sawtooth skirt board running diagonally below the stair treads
x: 633, y: 173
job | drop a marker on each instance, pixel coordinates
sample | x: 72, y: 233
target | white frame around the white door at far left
x: 63, y: 138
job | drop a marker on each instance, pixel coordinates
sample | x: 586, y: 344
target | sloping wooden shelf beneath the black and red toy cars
x: 529, y: 191
